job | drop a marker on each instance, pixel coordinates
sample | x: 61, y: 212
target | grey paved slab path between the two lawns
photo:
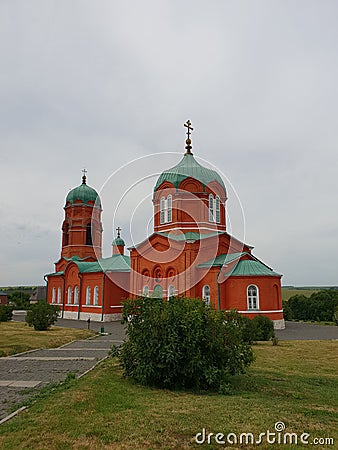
x: 22, y: 375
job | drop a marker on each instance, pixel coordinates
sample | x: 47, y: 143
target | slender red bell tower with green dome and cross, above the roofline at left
x: 82, y: 227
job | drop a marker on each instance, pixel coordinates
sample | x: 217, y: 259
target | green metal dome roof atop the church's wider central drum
x: 186, y: 168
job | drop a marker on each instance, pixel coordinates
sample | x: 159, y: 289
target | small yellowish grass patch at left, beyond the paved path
x: 16, y: 337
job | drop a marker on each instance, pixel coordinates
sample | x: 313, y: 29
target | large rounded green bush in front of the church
x: 182, y: 343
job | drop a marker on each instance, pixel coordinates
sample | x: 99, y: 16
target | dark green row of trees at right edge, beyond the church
x: 321, y: 306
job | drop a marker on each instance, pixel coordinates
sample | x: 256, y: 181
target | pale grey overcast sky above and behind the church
x: 99, y: 84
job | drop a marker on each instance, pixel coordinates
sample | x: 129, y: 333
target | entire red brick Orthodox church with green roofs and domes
x: 189, y: 253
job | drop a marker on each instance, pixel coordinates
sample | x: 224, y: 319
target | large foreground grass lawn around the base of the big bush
x: 294, y: 382
